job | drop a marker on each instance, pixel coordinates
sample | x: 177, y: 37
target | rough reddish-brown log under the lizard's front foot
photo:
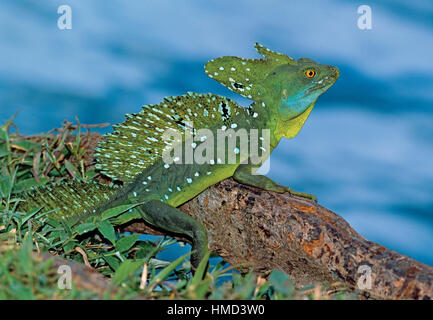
x: 309, y: 242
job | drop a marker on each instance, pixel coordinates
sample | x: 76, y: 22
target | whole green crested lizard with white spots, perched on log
x: 284, y: 95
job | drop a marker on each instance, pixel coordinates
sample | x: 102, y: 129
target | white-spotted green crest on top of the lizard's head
x: 243, y: 75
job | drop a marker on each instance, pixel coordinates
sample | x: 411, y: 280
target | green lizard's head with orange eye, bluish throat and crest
x: 277, y: 81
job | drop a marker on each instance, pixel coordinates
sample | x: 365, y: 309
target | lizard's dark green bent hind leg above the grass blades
x: 172, y: 220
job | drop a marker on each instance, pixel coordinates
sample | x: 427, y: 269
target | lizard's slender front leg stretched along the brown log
x: 244, y: 174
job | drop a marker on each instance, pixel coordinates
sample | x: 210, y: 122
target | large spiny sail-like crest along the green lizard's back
x: 138, y: 143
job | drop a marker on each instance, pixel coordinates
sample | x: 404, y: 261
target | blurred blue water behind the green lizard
x: 366, y: 151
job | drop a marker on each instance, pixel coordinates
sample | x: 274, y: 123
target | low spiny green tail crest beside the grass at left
x: 67, y: 200
